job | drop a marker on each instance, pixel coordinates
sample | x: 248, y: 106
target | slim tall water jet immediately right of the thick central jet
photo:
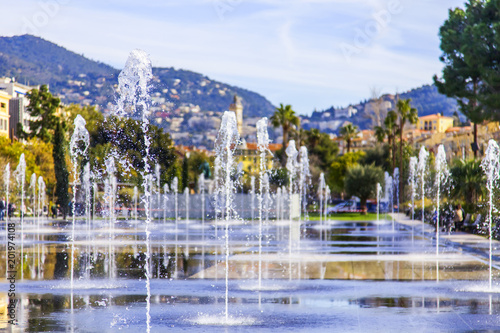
x: 263, y: 147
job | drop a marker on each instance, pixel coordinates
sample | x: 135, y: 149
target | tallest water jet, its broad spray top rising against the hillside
x: 133, y: 83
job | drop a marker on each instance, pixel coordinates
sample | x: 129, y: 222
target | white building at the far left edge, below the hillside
x: 17, y: 105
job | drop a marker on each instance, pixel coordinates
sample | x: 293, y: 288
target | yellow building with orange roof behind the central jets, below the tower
x: 249, y: 156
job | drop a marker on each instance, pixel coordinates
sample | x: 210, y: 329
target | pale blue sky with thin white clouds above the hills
x: 311, y: 54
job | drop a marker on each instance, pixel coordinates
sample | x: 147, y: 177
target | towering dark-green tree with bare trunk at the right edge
x: 464, y: 55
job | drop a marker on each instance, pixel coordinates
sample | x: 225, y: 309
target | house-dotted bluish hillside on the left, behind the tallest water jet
x: 76, y: 79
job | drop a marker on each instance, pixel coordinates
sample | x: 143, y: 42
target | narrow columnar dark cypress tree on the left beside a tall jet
x: 60, y: 169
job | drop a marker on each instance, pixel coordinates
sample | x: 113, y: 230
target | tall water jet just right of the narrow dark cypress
x: 78, y: 148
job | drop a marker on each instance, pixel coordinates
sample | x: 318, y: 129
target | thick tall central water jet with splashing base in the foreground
x: 227, y: 140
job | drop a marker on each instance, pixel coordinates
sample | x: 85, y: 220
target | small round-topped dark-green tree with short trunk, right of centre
x: 361, y: 181
